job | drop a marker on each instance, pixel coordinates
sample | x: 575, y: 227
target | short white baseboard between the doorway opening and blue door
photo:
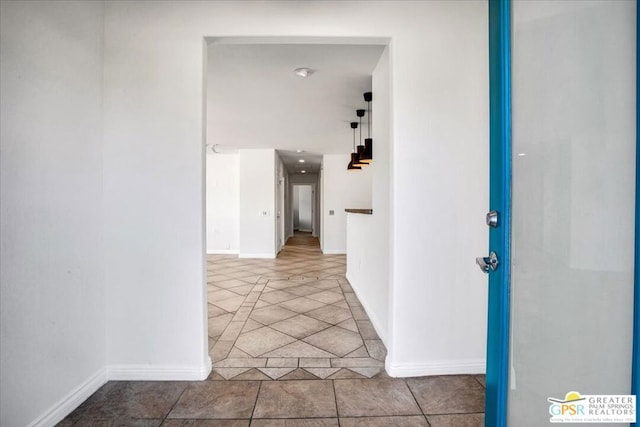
x: 435, y: 367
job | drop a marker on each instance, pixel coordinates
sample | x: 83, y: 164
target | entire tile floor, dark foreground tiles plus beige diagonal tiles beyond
x: 291, y: 347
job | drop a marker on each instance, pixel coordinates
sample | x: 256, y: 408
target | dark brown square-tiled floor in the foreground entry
x: 452, y: 401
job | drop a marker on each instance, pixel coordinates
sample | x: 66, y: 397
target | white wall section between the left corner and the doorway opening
x: 154, y: 194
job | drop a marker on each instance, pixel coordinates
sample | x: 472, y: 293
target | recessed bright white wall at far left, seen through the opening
x: 223, y: 203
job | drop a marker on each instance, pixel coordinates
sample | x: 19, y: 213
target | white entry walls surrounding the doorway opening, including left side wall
x: 153, y: 194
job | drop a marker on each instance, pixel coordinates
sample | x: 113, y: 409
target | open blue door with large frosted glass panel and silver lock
x: 563, y: 251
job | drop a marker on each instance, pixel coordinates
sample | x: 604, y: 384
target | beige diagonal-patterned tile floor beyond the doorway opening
x: 298, y: 318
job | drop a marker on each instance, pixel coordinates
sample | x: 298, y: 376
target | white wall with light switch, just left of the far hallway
x: 257, y: 203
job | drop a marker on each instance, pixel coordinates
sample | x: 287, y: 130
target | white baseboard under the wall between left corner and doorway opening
x: 158, y: 373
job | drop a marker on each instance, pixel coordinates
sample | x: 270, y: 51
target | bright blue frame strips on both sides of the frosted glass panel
x: 497, y: 371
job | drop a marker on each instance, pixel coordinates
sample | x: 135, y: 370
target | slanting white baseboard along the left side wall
x: 71, y: 401
